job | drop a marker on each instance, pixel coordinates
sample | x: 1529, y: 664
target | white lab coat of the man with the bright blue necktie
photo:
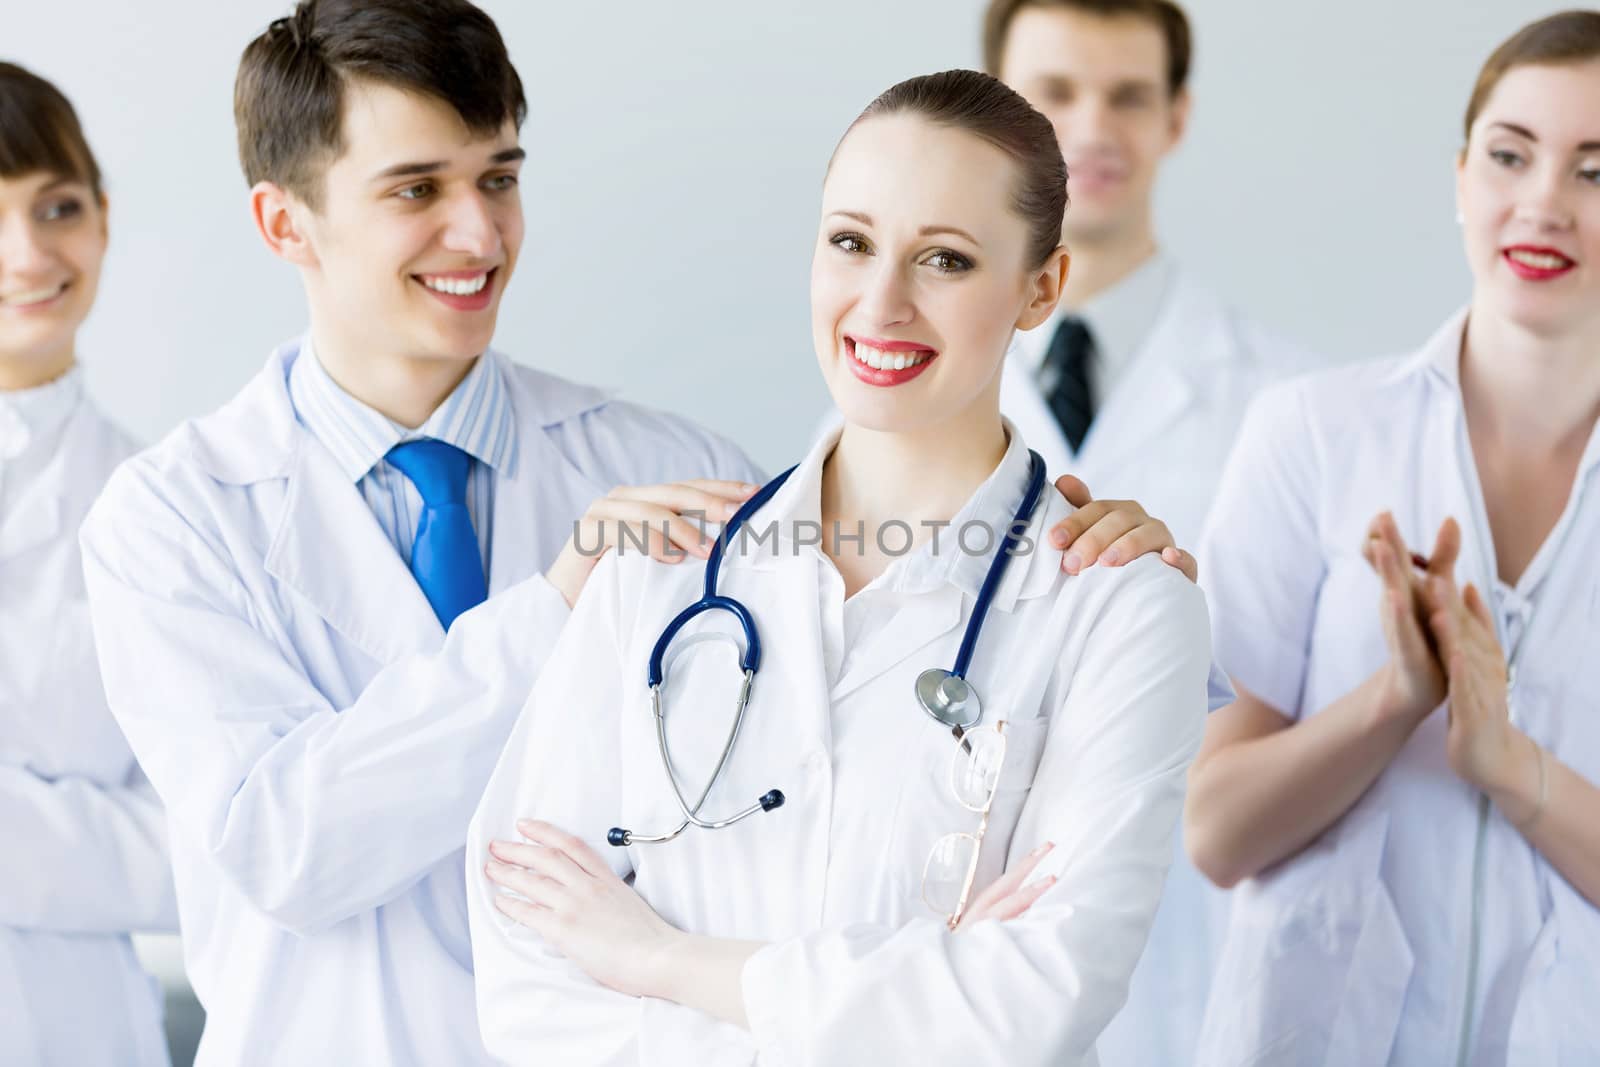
x: 318, y: 738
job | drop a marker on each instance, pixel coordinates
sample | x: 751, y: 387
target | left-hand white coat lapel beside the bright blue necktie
x: 330, y: 549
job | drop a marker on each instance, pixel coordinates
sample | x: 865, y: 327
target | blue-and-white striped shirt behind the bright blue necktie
x: 476, y: 418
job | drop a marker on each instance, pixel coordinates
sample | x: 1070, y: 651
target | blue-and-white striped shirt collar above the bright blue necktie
x: 476, y: 417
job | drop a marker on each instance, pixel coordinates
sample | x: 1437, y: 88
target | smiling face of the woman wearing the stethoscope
x: 919, y: 274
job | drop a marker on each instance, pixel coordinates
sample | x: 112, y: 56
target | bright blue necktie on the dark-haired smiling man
x: 446, y: 551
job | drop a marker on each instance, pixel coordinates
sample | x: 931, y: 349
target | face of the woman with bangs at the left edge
x: 52, y: 246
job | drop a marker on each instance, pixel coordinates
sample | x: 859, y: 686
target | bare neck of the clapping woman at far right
x: 1537, y: 393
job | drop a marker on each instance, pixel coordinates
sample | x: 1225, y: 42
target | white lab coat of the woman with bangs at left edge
x: 84, y: 841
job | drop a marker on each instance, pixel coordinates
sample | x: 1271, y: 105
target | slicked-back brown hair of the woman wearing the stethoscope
x: 990, y: 110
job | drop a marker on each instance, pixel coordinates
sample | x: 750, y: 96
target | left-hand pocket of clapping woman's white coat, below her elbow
x: 1316, y: 964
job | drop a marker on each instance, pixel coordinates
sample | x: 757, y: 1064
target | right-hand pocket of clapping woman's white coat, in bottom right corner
x: 1554, y: 1021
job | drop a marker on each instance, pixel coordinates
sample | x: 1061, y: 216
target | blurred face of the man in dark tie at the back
x: 1102, y: 81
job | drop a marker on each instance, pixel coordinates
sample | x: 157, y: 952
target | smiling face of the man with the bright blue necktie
x: 417, y: 233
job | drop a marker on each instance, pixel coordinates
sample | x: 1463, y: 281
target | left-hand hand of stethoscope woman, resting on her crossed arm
x: 580, y: 906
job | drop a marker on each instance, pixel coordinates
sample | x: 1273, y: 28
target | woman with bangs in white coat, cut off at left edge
x: 86, y: 849
